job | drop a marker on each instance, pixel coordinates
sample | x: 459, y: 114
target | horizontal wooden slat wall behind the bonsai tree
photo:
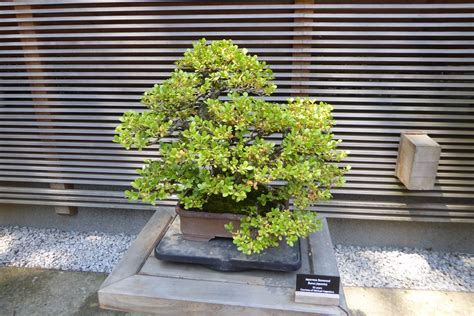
x: 69, y: 69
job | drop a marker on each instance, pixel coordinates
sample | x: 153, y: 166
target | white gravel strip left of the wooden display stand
x: 63, y: 250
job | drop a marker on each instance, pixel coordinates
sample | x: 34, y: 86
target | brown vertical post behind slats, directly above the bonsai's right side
x: 302, y: 38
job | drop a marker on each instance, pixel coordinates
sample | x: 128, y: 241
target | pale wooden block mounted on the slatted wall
x: 417, y: 163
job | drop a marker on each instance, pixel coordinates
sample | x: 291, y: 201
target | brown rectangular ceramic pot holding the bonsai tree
x: 203, y: 226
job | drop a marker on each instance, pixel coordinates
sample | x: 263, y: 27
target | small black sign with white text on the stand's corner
x: 314, y: 283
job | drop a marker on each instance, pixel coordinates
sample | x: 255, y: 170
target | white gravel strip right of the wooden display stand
x: 408, y: 268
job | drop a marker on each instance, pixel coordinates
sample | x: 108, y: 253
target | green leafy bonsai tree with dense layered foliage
x: 223, y: 148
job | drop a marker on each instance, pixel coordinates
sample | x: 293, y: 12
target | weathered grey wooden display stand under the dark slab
x: 142, y: 283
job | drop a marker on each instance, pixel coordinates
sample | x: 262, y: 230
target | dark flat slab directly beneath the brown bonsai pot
x: 221, y: 254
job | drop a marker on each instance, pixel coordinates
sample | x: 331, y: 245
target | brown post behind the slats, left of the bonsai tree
x: 64, y: 210
